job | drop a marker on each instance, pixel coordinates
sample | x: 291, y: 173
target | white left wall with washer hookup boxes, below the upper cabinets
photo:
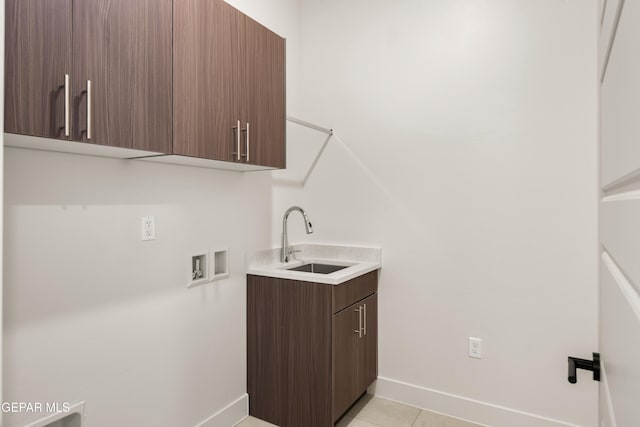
x: 92, y: 313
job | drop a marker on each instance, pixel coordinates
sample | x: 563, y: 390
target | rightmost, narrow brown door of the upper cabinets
x: 264, y: 95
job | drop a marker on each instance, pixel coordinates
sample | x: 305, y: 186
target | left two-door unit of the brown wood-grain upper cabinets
x: 96, y: 71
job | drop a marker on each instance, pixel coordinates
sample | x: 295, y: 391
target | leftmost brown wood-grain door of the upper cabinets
x: 37, y: 58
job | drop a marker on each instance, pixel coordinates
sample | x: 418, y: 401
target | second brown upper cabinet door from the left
x: 122, y: 76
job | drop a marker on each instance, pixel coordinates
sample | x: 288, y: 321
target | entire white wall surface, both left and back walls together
x: 466, y: 149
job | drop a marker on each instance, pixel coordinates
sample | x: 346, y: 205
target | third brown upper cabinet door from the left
x: 208, y: 35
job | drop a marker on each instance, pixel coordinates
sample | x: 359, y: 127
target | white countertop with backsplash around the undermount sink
x: 360, y: 260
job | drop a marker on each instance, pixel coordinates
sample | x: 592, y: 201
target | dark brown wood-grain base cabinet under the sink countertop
x: 311, y: 348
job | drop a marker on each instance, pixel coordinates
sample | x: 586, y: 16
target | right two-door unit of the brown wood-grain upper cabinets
x: 229, y: 83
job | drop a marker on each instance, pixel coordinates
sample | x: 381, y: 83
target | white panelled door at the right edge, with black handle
x: 619, y: 317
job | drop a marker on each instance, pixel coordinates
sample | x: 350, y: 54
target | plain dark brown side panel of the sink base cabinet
x: 289, y: 351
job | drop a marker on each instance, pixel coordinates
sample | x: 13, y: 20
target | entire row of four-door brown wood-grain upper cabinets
x: 192, y: 82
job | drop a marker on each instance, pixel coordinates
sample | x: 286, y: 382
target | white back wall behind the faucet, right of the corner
x: 466, y: 148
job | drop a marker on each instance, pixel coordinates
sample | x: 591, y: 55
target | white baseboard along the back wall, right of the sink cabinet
x: 459, y: 407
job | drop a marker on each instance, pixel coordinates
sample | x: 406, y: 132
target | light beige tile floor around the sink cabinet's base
x: 371, y: 411
